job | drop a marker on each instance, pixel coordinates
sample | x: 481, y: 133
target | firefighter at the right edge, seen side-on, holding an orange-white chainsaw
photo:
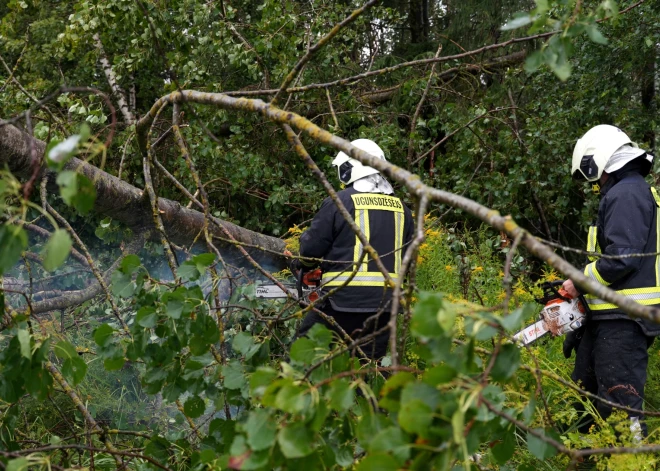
x: 611, y: 355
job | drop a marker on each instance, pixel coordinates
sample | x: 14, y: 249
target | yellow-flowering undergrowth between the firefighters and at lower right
x: 467, y: 266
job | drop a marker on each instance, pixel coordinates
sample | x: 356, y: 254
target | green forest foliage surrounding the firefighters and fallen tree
x: 186, y: 368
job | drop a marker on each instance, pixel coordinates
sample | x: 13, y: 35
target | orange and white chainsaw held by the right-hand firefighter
x: 560, y: 315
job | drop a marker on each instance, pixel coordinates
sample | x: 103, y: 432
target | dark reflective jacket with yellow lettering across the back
x: 387, y: 224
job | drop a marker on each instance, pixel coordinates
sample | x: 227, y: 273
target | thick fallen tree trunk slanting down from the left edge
x: 129, y: 205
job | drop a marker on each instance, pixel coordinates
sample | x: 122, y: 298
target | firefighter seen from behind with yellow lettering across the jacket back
x: 362, y: 305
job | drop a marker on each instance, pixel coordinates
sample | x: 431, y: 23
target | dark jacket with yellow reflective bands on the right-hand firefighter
x: 627, y: 224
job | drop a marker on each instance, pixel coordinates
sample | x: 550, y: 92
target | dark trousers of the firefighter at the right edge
x: 611, y: 362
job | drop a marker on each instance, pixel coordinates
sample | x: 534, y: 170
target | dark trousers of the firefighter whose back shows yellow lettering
x: 357, y: 325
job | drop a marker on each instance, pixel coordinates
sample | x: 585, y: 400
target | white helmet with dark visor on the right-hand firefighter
x: 594, y: 150
